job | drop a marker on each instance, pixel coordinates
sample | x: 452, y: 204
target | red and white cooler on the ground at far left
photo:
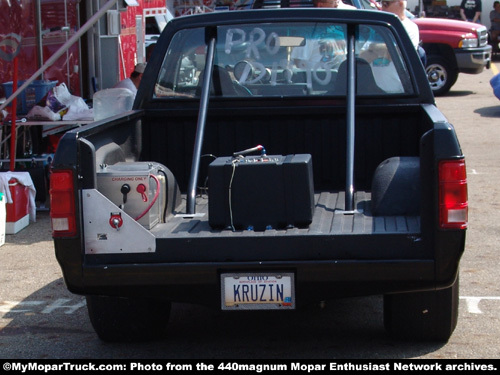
x: 18, y: 211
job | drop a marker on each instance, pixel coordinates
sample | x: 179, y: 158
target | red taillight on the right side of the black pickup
x: 453, y: 204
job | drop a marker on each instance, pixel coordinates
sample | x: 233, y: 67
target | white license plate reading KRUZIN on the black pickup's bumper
x: 257, y: 291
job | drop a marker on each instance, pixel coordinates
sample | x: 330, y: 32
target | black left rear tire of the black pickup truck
x: 128, y: 319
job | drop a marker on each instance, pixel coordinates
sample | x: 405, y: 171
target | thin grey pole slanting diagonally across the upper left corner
x: 61, y: 50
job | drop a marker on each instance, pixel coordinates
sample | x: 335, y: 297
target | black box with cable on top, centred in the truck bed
x: 261, y: 192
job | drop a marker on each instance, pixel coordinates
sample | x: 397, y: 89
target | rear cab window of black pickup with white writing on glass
x: 269, y: 60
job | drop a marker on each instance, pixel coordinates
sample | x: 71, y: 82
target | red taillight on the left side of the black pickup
x: 62, y: 203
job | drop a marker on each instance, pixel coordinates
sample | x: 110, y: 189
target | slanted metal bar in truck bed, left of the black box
x: 200, y: 130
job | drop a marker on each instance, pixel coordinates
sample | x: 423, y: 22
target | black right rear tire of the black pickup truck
x: 426, y: 316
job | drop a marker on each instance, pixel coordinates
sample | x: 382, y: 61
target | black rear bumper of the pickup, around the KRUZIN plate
x: 315, y: 281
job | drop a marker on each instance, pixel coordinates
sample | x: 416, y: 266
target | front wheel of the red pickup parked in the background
x: 440, y: 74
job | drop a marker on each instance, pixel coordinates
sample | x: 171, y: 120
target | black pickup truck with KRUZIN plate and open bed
x: 273, y: 159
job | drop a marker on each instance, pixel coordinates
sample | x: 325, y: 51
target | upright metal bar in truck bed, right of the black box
x: 350, y: 126
